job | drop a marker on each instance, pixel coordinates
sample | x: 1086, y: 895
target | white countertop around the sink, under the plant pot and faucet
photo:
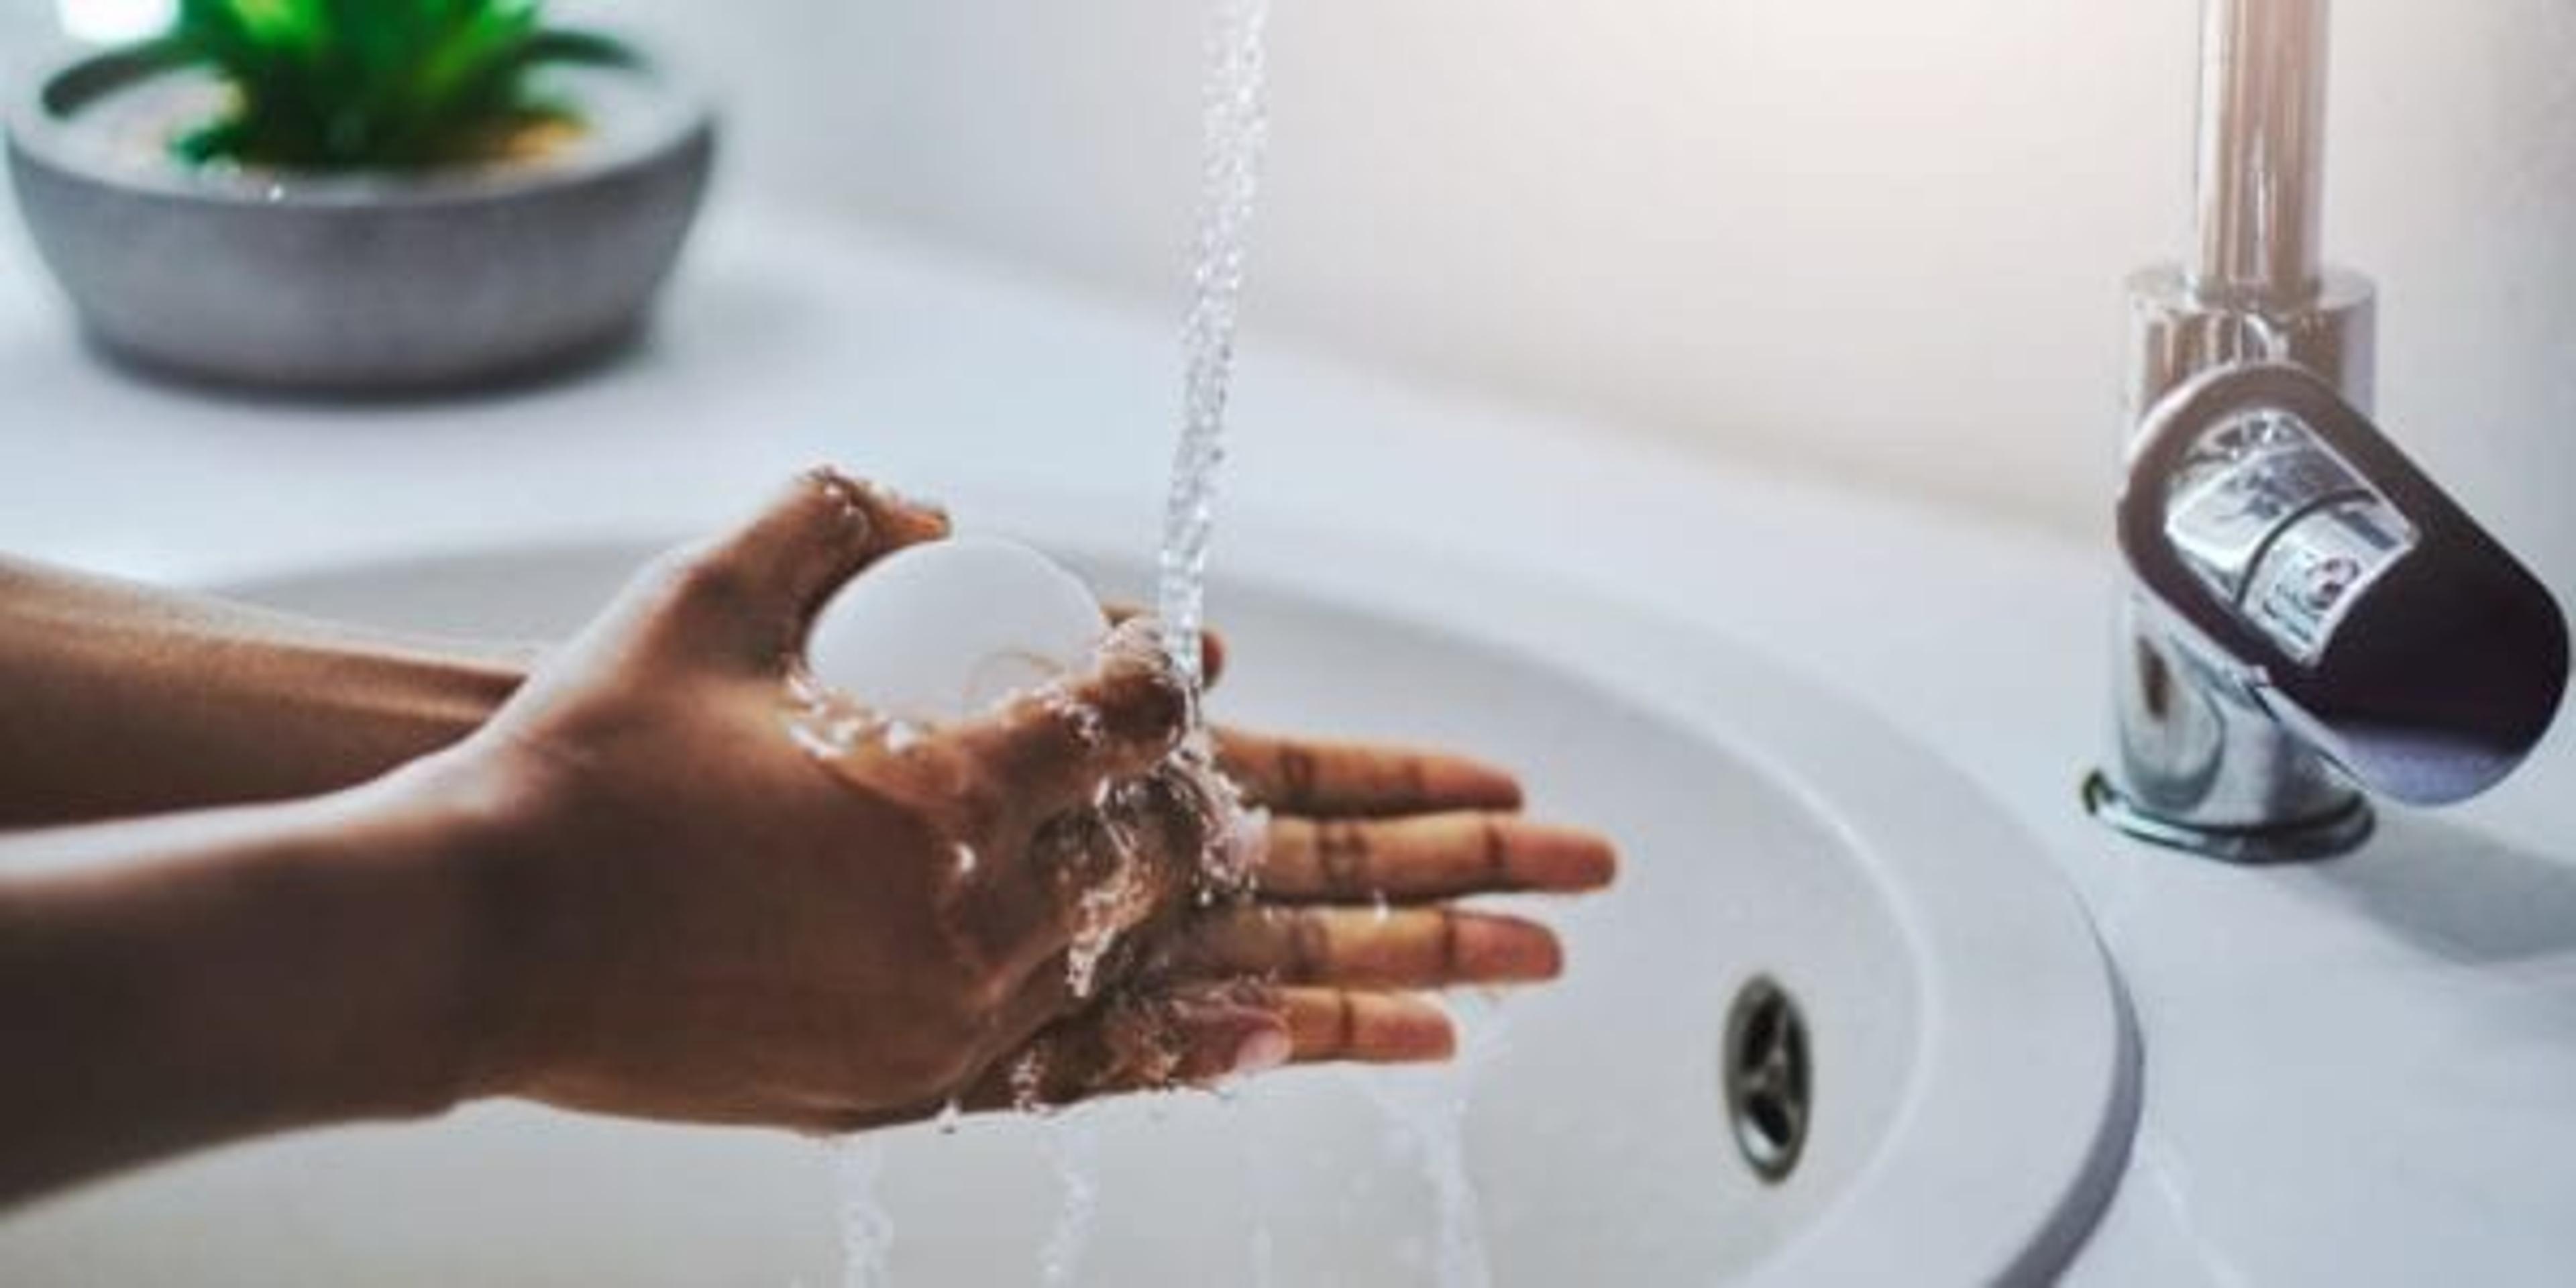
x: 2356, y: 1073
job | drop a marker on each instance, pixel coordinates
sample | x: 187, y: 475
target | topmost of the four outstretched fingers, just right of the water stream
x: 1359, y: 779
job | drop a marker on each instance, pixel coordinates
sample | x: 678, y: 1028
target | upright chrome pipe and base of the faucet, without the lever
x: 2196, y: 761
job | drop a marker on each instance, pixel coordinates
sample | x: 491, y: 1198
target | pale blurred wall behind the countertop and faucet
x: 1871, y: 238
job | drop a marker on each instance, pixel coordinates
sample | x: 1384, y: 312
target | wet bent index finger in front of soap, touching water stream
x: 1063, y: 743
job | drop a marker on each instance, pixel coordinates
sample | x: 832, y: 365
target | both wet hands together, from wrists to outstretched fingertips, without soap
x: 702, y: 926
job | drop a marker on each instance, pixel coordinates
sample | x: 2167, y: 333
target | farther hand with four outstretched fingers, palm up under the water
x: 1351, y: 911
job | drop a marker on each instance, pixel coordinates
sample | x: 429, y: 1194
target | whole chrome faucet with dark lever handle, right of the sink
x: 2307, y: 612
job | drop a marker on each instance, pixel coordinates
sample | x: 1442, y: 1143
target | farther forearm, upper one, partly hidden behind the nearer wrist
x: 133, y: 702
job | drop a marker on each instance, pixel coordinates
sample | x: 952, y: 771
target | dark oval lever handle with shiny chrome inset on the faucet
x: 2304, y: 555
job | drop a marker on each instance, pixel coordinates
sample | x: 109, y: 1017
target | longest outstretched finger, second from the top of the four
x: 1434, y: 857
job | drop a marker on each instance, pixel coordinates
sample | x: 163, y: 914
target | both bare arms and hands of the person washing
x: 385, y: 877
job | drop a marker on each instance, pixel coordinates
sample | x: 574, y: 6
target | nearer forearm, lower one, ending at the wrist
x: 220, y: 975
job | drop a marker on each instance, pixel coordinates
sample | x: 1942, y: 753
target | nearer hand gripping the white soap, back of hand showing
x: 694, y: 916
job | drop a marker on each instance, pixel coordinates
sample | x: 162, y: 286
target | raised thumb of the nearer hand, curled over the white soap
x: 756, y: 589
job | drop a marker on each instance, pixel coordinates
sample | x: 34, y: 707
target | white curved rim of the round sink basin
x: 1993, y: 960
